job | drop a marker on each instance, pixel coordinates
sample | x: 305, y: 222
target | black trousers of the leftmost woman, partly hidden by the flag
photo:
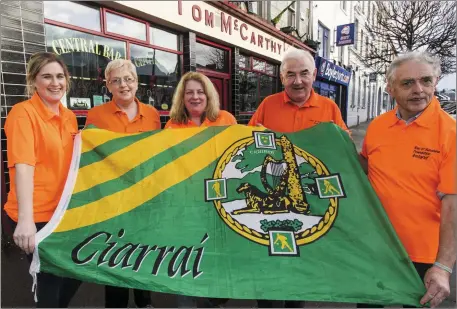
x: 52, y: 291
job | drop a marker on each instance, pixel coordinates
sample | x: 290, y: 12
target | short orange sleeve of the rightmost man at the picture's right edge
x: 447, y: 169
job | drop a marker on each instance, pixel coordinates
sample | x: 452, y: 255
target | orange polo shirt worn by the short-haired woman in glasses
x: 110, y: 117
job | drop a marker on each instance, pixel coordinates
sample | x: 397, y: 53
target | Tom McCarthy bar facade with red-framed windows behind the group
x: 230, y: 42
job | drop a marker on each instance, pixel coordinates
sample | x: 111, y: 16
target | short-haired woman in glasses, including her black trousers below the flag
x: 124, y: 114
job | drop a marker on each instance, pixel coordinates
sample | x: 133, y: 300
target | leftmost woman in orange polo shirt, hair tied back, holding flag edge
x: 39, y: 135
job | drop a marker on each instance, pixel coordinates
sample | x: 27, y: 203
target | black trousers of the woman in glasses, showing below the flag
x: 118, y: 297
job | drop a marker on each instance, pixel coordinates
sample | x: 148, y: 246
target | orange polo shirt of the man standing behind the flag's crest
x: 277, y: 113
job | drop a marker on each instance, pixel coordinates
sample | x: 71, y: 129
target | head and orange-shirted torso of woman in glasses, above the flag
x: 124, y: 113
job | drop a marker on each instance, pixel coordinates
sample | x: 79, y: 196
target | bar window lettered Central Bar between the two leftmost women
x: 86, y: 57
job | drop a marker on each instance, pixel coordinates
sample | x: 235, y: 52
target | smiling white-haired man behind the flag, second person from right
x: 298, y: 107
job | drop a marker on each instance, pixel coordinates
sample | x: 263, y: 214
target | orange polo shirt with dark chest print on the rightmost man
x: 407, y: 165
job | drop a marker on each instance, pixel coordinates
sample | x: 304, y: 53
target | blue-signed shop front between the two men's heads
x: 332, y: 81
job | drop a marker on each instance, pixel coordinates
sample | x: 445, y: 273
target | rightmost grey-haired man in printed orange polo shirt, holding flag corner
x: 410, y: 153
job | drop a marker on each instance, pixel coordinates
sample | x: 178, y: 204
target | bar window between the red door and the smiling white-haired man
x: 256, y: 82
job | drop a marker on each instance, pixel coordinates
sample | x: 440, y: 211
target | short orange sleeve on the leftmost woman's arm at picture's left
x: 20, y: 137
